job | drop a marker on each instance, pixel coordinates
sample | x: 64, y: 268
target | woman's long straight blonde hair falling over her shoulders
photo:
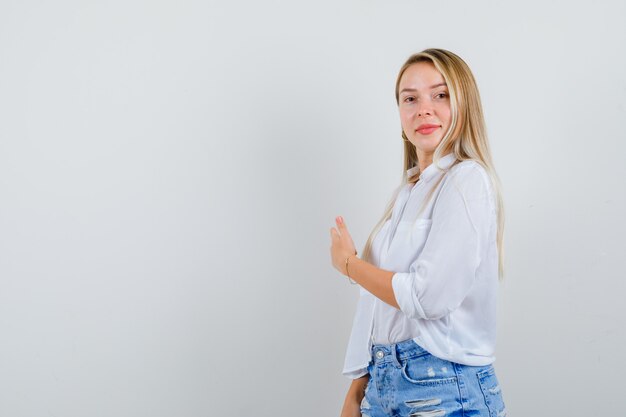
x: 466, y: 138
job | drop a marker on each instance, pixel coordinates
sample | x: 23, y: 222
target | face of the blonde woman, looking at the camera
x: 424, y: 104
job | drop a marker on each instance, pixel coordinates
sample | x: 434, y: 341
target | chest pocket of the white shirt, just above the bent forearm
x: 407, y: 243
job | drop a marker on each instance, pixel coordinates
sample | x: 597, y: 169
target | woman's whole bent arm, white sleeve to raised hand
x: 439, y: 279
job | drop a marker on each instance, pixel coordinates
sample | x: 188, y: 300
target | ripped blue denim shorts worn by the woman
x: 406, y: 380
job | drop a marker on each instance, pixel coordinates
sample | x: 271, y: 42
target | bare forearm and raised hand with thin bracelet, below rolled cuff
x: 375, y: 280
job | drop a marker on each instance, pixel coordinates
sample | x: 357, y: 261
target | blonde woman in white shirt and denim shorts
x: 423, y: 337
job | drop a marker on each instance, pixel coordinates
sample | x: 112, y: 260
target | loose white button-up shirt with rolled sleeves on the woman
x: 446, y: 270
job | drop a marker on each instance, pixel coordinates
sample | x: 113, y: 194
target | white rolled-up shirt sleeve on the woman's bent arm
x: 445, y: 270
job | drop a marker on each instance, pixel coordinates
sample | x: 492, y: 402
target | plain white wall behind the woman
x: 169, y: 173
